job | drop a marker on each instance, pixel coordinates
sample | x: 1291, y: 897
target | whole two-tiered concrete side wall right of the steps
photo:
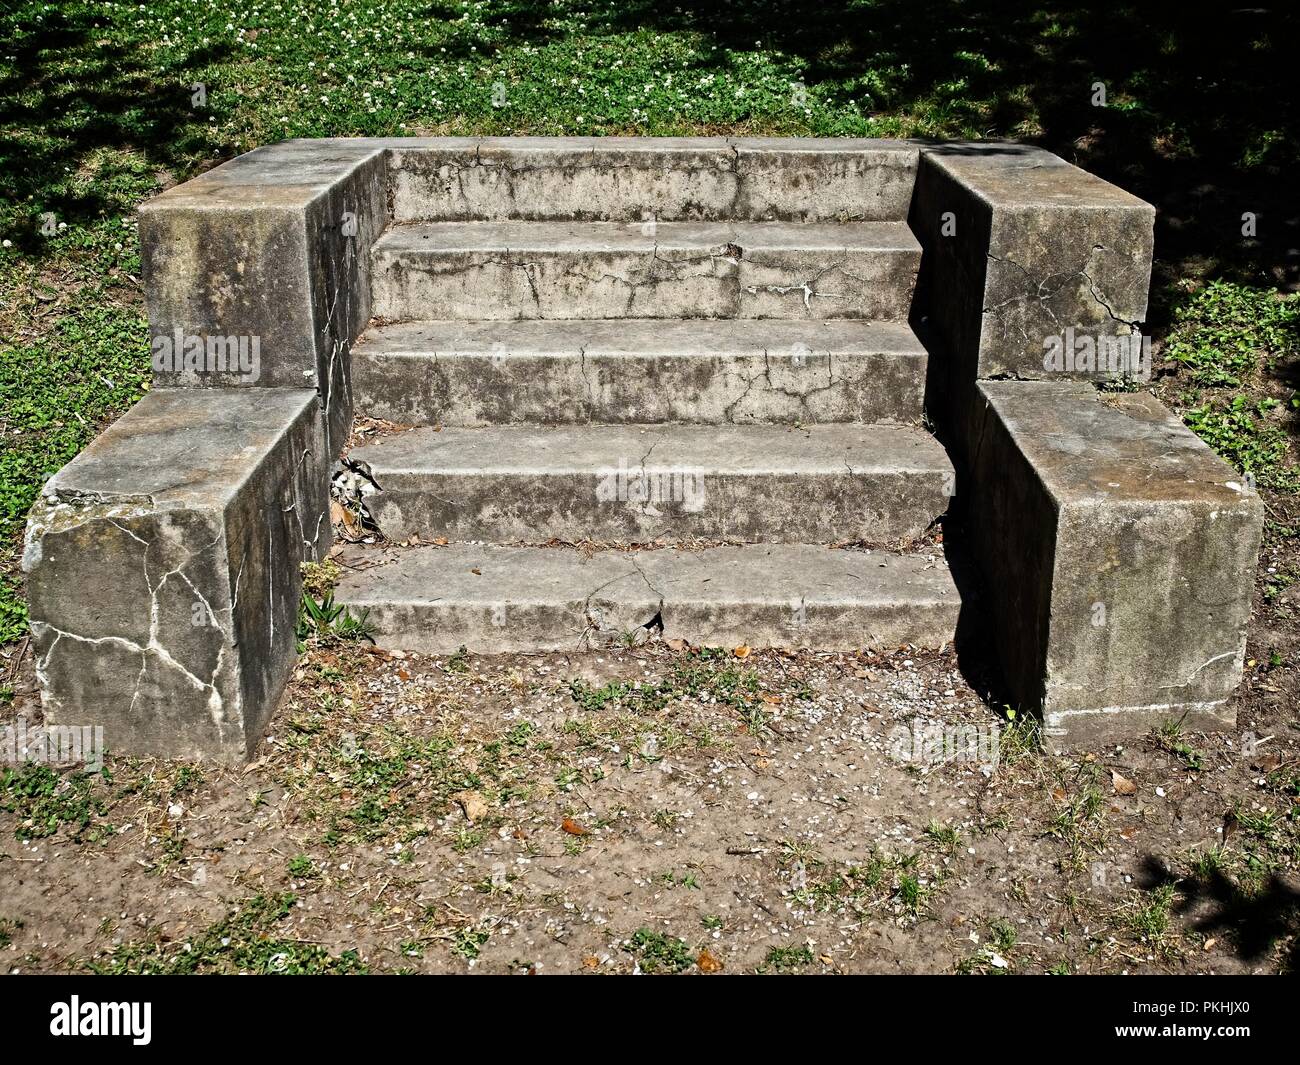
x: 1117, y: 551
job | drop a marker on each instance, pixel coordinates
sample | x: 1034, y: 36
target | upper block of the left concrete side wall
x: 257, y: 274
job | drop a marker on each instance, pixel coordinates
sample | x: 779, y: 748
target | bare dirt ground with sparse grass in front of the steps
x: 666, y: 809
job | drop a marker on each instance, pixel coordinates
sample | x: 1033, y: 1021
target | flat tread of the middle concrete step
x: 640, y: 337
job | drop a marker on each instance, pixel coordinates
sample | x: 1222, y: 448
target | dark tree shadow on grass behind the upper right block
x: 1202, y: 102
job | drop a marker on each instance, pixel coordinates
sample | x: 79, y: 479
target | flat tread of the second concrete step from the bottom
x: 713, y: 449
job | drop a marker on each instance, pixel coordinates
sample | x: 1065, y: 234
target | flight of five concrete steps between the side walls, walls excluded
x: 712, y: 366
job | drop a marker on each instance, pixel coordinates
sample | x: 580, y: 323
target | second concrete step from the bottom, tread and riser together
x: 522, y: 483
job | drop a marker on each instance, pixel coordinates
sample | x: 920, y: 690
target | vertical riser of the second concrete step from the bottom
x: 606, y: 505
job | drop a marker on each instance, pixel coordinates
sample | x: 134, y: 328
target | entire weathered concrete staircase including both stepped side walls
x: 626, y: 388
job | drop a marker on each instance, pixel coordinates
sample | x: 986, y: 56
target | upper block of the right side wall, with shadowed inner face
x: 1021, y: 246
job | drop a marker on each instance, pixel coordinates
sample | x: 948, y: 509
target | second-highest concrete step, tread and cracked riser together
x: 657, y: 271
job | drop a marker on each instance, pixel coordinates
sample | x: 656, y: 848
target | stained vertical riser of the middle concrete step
x: 549, y: 388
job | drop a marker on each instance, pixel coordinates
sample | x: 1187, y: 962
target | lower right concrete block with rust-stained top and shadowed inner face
x: 1120, y: 557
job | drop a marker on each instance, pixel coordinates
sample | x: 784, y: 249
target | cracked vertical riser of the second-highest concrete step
x: 658, y: 284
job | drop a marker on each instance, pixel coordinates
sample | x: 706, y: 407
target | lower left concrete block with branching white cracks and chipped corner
x: 163, y: 569
